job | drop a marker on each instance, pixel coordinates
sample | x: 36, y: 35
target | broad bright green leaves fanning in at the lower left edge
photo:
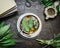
x: 5, y: 36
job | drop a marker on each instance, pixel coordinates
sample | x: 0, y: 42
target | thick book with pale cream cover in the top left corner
x: 7, y: 7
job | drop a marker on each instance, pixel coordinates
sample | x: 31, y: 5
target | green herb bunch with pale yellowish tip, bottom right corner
x: 55, y: 42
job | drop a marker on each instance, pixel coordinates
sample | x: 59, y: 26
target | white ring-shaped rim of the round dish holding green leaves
x: 33, y: 34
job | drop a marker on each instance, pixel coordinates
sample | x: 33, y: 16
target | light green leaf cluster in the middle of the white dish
x: 27, y: 24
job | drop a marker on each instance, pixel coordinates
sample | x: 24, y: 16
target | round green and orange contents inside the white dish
x: 29, y: 24
